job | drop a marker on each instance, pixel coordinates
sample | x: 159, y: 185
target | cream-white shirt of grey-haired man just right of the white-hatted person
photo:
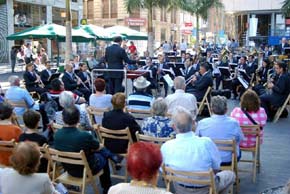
x: 180, y: 98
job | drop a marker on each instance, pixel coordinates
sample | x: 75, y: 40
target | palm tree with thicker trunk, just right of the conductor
x: 132, y: 5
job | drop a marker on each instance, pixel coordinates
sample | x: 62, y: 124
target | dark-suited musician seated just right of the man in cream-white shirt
x: 202, y: 82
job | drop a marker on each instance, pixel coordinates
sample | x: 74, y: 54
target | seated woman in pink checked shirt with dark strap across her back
x: 250, y: 107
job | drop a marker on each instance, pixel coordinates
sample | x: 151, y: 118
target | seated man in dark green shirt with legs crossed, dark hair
x: 71, y: 139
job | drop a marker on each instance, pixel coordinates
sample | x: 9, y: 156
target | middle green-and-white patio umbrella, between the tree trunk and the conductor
x: 95, y: 31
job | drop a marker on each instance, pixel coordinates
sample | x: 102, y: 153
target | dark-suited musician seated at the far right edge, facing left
x: 280, y: 90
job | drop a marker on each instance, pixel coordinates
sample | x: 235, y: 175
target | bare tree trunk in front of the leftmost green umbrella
x: 68, y: 38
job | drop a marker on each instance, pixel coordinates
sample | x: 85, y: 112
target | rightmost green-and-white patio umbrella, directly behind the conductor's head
x: 128, y: 33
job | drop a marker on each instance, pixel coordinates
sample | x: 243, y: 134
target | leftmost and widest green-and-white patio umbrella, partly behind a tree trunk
x: 50, y: 31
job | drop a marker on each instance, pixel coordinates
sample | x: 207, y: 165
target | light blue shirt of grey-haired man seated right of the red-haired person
x: 188, y: 152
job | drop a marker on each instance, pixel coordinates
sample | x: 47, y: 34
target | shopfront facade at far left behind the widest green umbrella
x: 18, y: 15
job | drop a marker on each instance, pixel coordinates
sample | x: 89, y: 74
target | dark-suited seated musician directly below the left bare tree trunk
x: 73, y: 83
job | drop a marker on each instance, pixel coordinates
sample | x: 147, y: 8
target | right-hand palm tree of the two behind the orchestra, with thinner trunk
x: 200, y: 8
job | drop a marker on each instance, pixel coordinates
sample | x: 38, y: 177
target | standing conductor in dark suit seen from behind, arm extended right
x: 115, y: 57
